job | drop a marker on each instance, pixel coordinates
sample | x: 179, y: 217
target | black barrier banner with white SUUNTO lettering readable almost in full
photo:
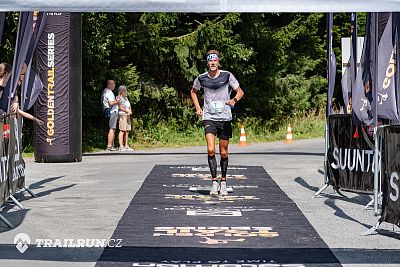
x: 350, y: 154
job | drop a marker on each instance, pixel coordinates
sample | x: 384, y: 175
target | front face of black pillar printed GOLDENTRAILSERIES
x: 53, y: 102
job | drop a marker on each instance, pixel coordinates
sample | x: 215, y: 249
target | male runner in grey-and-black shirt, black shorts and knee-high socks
x: 216, y: 114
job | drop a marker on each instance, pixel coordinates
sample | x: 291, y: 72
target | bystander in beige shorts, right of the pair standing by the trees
x: 124, y: 113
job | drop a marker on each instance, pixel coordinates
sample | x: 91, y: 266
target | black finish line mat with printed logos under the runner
x: 257, y: 225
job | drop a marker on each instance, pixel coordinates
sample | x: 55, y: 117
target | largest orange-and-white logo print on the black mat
x: 217, y: 235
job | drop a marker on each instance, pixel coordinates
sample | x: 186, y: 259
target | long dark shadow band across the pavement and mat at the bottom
x: 200, y: 255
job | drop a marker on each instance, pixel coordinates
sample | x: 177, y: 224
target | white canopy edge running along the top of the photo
x: 202, y: 6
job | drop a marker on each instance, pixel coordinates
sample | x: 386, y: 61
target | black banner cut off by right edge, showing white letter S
x: 391, y: 176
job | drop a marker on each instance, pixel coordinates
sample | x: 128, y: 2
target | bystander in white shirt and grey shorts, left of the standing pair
x: 110, y: 111
